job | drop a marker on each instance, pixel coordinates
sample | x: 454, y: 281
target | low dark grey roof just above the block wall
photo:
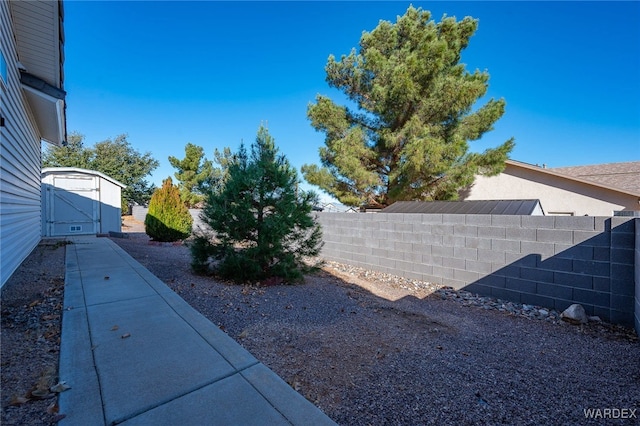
x: 506, y: 207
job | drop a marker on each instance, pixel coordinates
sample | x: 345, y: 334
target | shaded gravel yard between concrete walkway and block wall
x: 372, y: 349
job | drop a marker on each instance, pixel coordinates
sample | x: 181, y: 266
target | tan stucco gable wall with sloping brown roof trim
x: 557, y: 194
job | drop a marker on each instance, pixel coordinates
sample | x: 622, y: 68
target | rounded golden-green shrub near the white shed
x: 168, y: 219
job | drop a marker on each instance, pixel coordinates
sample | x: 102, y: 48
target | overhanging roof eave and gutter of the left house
x: 39, y: 34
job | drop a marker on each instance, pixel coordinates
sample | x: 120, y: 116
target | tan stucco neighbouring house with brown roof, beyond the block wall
x: 600, y: 190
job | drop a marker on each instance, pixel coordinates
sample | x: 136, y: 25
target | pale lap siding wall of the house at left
x: 20, y: 163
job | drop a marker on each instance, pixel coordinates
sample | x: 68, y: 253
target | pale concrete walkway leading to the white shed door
x: 135, y: 353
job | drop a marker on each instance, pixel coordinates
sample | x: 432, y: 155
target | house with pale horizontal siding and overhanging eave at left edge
x: 32, y: 109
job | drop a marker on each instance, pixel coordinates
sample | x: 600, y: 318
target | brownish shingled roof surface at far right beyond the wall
x: 618, y: 175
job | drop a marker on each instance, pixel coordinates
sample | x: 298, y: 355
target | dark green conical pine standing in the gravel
x: 263, y: 225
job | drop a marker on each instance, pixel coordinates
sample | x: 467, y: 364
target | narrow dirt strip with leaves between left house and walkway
x: 30, y: 337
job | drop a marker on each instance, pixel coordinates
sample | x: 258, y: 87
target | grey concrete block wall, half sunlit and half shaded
x: 550, y: 261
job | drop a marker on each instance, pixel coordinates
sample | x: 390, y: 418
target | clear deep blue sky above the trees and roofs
x: 168, y: 73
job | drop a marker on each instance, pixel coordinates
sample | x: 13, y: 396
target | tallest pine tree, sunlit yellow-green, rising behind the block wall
x: 407, y: 137
